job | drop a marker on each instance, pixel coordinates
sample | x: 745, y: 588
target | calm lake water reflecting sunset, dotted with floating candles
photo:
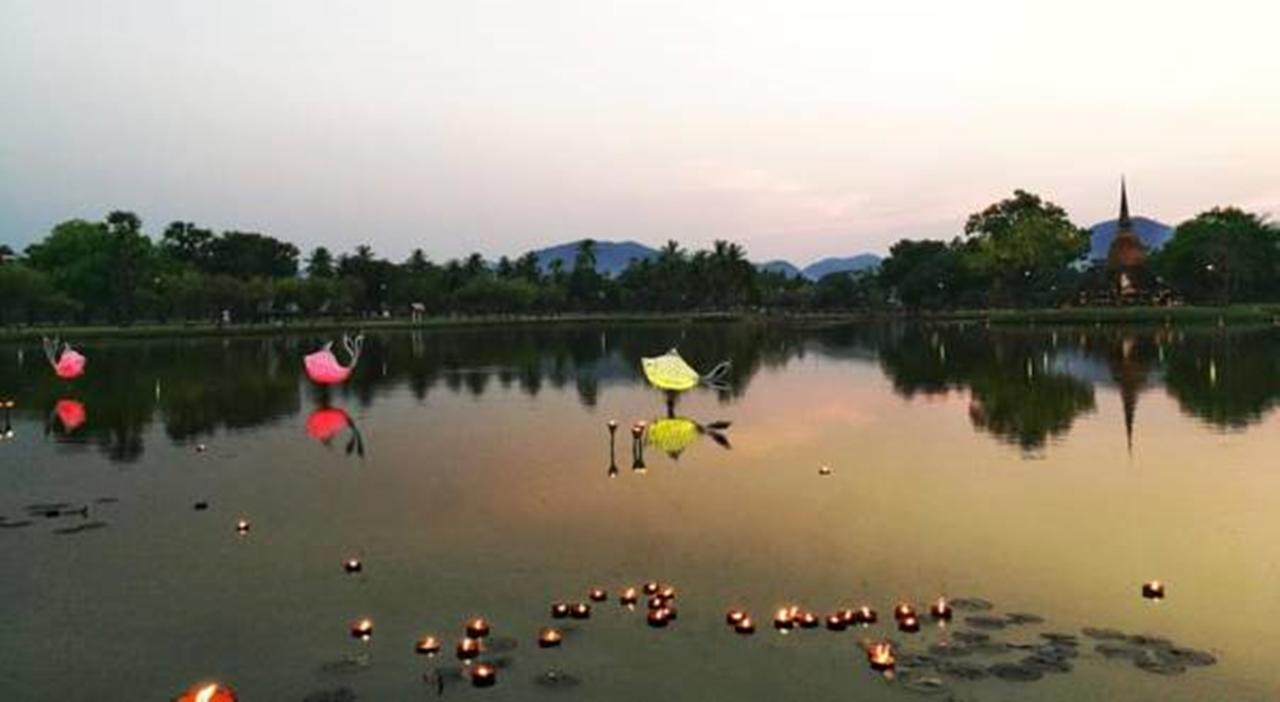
x: 1048, y: 472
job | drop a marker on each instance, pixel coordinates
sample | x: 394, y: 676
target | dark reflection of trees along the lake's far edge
x: 1025, y: 388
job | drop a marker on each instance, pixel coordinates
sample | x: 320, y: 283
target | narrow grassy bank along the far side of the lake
x: 1267, y: 314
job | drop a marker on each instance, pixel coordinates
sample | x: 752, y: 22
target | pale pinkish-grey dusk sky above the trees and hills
x: 801, y: 130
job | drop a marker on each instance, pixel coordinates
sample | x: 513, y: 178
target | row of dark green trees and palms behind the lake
x: 1020, y: 253
